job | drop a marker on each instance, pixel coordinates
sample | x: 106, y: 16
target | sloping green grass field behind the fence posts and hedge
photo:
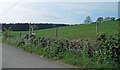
x: 77, y: 31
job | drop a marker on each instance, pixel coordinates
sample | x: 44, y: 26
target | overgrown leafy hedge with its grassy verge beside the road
x: 83, y: 53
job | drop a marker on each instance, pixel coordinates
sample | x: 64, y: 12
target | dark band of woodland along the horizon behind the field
x: 25, y: 26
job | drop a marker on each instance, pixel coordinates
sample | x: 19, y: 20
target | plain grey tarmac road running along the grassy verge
x: 13, y: 57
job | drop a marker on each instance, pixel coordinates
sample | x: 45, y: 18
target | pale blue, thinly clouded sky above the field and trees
x: 56, y: 12
